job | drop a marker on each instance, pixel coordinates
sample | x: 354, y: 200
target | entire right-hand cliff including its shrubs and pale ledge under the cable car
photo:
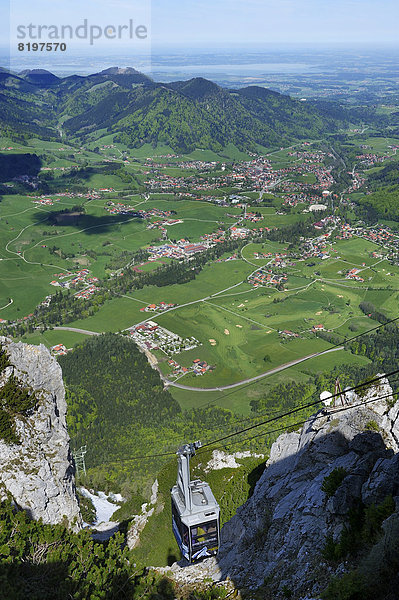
x: 327, y: 503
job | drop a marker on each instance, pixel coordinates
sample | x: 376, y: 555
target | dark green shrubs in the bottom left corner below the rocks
x: 50, y: 562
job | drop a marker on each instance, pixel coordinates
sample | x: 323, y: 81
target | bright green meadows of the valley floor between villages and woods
x: 238, y: 326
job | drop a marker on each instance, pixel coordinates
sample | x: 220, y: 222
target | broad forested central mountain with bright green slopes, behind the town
x: 198, y: 113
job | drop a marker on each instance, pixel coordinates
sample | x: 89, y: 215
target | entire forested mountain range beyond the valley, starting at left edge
x: 184, y: 114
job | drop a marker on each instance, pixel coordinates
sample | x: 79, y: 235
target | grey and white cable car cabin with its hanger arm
x: 195, y: 512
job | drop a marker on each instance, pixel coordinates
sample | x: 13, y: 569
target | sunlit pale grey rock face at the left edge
x: 38, y: 473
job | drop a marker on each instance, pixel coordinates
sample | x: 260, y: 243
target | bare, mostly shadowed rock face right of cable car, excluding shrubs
x: 279, y: 533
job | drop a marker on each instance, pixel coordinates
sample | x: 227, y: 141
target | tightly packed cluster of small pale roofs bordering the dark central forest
x: 150, y: 336
